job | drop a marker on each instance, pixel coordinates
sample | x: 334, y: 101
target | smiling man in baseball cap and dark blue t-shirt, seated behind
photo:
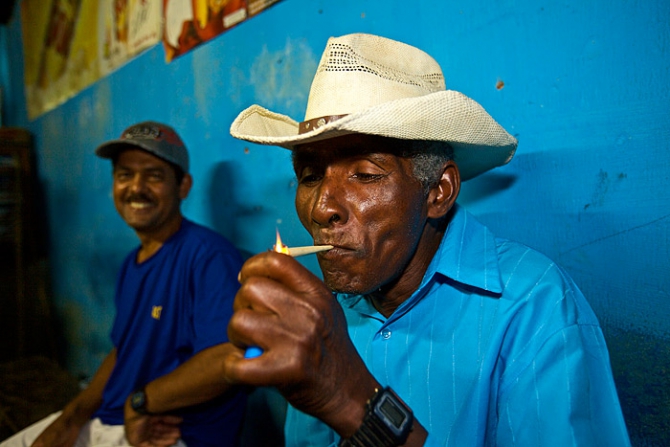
x: 160, y: 384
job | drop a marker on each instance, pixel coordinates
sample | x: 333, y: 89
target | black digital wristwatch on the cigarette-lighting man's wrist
x: 387, y: 422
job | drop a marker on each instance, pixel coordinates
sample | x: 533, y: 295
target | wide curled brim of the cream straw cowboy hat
x: 479, y: 142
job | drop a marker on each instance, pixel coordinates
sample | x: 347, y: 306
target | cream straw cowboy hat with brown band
x: 372, y: 85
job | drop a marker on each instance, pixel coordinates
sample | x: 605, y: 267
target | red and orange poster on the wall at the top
x: 189, y: 23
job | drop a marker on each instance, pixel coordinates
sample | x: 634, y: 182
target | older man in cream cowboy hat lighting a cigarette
x: 426, y: 329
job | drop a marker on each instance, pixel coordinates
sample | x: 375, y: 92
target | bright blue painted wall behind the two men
x: 585, y: 91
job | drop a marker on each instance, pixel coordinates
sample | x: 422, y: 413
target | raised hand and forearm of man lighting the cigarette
x: 308, y: 354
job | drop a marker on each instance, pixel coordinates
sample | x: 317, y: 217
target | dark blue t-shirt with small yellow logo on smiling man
x: 168, y: 308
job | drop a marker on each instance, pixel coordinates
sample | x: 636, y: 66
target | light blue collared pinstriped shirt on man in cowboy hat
x: 497, y: 346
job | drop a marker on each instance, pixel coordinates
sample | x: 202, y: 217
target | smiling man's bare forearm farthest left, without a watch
x: 65, y: 429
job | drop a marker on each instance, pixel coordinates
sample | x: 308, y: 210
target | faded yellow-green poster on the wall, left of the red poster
x: 69, y: 44
